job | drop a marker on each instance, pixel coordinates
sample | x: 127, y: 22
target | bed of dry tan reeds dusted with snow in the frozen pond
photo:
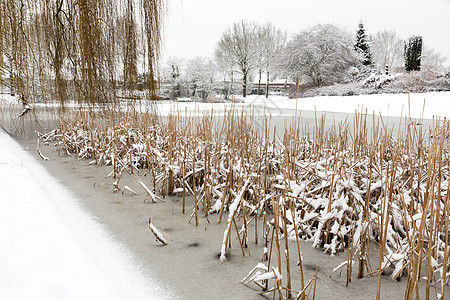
x: 350, y: 189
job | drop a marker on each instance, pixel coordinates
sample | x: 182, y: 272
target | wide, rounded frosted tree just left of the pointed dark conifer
x: 323, y: 54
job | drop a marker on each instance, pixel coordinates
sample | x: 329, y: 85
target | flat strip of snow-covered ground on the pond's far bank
x: 396, y: 105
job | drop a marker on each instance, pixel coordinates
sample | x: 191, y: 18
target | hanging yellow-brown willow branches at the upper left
x: 70, y: 47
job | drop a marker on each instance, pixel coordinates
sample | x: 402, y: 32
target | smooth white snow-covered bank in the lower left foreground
x: 51, y: 248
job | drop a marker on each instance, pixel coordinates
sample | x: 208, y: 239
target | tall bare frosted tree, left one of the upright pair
x: 238, y: 47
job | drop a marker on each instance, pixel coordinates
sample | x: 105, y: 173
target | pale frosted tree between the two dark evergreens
x: 387, y: 50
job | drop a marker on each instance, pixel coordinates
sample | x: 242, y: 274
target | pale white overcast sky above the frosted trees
x: 193, y: 27
